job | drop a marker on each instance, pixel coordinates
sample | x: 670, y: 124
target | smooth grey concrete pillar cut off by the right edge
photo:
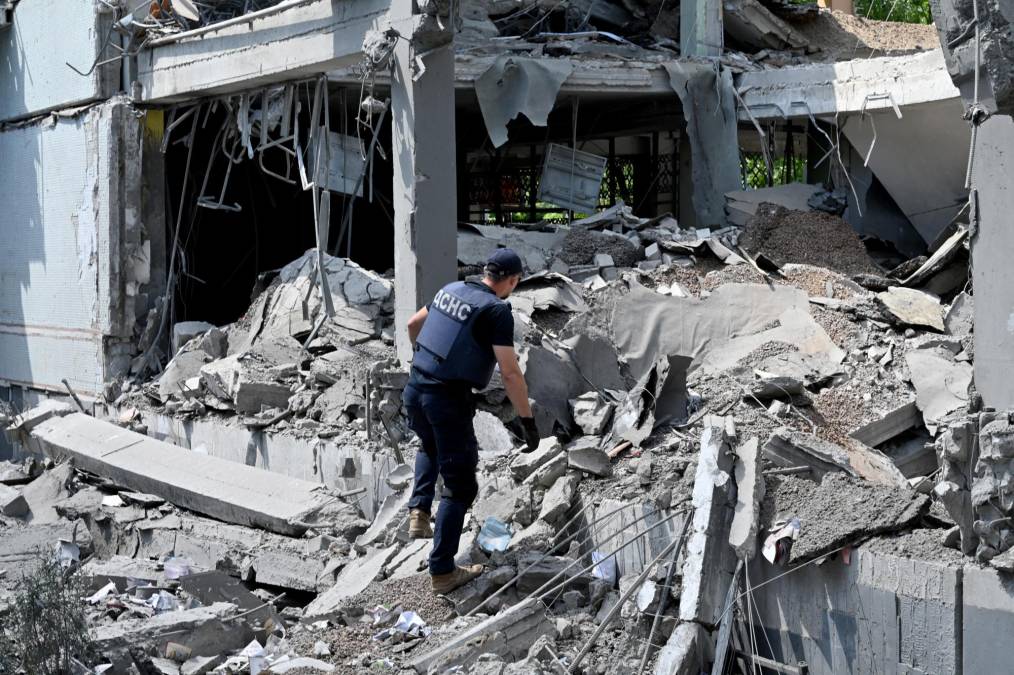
x: 992, y: 249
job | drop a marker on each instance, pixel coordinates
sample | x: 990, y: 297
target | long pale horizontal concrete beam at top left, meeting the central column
x: 304, y: 39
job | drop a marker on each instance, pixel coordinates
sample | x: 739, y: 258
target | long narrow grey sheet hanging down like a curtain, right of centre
x: 709, y: 108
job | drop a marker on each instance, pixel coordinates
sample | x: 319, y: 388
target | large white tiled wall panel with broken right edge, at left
x: 77, y: 261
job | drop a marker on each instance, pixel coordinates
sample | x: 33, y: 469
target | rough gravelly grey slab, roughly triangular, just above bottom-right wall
x: 838, y: 512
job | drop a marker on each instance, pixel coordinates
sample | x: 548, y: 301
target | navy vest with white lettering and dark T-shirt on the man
x: 447, y: 349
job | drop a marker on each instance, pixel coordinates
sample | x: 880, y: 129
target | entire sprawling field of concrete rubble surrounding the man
x: 703, y: 397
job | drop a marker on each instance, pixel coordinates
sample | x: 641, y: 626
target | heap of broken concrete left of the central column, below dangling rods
x: 286, y: 364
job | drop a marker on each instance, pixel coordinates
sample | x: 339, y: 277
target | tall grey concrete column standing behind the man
x: 424, y: 188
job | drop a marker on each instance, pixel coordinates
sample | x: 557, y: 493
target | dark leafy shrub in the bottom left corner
x: 46, y: 626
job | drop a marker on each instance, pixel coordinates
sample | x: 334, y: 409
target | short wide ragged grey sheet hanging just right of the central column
x: 516, y: 86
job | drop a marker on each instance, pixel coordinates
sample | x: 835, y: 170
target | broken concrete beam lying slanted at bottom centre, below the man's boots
x: 521, y: 626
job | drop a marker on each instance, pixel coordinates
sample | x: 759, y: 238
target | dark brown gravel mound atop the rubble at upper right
x: 810, y: 238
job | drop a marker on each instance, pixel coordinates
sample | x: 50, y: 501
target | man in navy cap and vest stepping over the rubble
x: 459, y: 339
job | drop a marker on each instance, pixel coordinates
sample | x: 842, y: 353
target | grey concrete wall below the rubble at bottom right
x: 881, y: 615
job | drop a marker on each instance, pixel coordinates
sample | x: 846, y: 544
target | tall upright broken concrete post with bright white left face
x: 708, y: 560
